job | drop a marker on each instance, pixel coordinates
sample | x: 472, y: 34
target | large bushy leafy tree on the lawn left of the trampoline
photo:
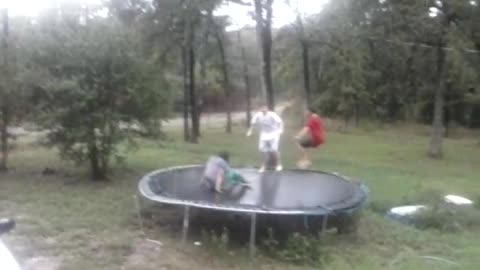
x: 116, y: 91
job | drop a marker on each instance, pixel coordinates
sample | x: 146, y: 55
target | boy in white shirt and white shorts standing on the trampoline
x: 271, y: 128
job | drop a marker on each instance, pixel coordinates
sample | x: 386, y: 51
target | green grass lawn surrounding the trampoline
x: 67, y: 222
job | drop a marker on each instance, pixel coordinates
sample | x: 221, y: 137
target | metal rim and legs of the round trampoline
x: 320, y: 211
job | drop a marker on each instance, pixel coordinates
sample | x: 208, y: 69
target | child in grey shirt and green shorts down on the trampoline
x: 219, y: 176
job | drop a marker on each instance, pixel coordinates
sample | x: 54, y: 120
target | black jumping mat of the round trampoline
x: 288, y: 190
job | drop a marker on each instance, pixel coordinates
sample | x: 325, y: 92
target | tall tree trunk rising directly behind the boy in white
x: 264, y: 30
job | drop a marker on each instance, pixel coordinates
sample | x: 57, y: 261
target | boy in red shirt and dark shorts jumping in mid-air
x: 311, y: 136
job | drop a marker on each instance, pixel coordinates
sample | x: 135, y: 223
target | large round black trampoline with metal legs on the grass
x: 289, y: 192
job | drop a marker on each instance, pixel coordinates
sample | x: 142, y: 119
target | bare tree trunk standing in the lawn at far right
x: 435, y: 150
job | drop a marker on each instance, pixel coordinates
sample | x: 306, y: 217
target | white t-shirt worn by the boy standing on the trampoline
x: 270, y: 125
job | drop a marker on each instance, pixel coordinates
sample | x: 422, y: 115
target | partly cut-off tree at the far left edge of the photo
x: 18, y: 76
